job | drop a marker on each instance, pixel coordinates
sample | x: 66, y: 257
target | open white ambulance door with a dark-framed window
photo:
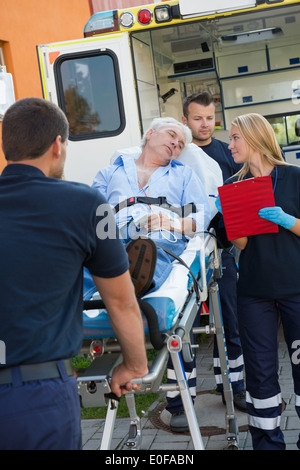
x: 94, y: 82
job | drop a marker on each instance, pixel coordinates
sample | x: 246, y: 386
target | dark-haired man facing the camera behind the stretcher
x: 199, y: 116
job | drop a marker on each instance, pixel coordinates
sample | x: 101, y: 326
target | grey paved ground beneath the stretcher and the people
x: 210, y: 412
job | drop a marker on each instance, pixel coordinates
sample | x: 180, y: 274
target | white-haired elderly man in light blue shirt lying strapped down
x: 174, y: 204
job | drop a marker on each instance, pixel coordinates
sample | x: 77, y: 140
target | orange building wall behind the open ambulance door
x: 24, y: 25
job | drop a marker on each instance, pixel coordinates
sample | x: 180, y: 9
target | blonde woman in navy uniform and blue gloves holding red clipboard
x: 269, y: 273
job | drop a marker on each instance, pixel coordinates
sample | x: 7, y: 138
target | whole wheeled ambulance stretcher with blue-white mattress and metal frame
x: 168, y: 315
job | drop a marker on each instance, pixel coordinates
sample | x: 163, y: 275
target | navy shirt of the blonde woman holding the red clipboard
x: 270, y: 263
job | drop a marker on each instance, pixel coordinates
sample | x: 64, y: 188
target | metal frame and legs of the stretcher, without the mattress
x: 93, y: 383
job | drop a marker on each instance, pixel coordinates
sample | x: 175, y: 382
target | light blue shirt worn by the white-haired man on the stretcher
x: 177, y: 182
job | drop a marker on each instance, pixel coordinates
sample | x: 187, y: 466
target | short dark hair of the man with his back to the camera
x: 29, y: 128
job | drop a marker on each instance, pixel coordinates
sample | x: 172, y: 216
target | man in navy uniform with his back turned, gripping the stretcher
x: 48, y: 233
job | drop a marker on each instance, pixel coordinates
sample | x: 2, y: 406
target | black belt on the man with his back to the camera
x: 42, y: 371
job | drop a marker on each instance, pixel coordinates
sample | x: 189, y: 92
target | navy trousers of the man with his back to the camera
x: 41, y: 414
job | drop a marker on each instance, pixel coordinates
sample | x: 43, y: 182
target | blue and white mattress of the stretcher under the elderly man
x: 168, y: 301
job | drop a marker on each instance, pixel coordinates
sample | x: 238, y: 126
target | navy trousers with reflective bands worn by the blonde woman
x: 258, y: 322
